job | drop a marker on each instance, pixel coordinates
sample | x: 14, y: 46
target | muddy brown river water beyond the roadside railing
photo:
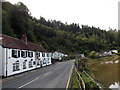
x: 106, y: 72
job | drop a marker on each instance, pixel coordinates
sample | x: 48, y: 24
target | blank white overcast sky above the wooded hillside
x: 98, y: 13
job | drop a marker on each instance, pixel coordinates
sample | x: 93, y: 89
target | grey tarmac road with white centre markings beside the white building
x: 53, y: 76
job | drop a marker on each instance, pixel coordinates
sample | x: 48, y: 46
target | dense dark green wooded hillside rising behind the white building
x: 55, y: 35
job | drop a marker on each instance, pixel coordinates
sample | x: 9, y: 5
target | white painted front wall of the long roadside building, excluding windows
x: 7, y: 62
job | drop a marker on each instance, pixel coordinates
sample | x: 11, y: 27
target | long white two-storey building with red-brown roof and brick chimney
x: 18, y: 56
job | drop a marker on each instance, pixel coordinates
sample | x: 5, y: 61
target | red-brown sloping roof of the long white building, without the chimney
x: 11, y: 42
